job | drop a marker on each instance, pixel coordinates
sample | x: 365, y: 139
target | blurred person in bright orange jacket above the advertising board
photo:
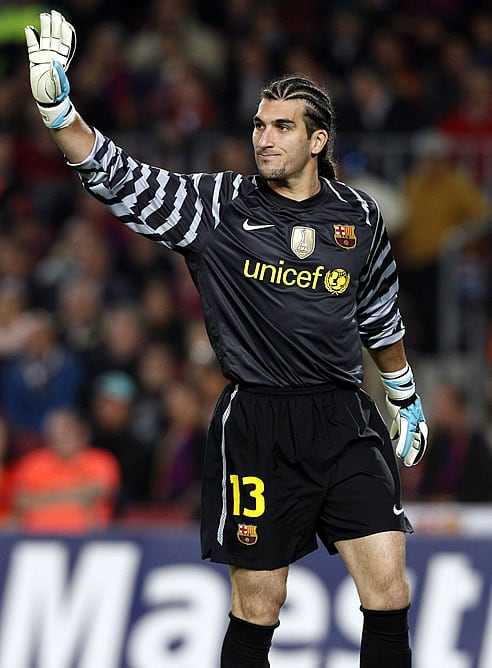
x: 66, y: 485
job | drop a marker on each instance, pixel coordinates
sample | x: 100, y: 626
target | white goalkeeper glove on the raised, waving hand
x: 50, y: 52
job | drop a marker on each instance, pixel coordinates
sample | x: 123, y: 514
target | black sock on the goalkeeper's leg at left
x: 246, y: 645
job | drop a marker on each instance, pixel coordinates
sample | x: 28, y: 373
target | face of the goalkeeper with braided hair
x: 282, y: 147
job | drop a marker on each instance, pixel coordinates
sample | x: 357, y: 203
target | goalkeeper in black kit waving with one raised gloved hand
x: 295, y: 272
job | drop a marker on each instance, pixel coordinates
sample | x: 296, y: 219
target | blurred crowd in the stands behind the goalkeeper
x: 107, y: 380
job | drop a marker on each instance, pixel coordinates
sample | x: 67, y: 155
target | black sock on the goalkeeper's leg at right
x: 385, y: 639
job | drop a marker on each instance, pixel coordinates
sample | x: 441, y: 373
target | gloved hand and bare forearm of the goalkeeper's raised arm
x: 50, y: 52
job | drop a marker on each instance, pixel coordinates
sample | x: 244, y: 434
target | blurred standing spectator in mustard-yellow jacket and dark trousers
x: 438, y: 198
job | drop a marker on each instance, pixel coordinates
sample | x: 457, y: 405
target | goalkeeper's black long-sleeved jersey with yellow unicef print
x: 289, y: 289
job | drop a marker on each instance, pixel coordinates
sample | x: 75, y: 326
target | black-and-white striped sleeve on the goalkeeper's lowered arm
x: 379, y: 317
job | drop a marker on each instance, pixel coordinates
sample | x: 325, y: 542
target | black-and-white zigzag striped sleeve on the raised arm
x: 177, y: 210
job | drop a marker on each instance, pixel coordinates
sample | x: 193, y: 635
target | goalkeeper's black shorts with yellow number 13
x: 282, y: 468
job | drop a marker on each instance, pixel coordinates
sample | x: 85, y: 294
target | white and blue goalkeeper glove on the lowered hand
x: 408, y: 420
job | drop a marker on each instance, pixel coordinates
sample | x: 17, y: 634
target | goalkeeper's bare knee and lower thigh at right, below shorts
x: 377, y: 566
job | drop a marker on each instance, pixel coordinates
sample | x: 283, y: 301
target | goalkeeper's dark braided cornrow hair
x: 319, y: 113
